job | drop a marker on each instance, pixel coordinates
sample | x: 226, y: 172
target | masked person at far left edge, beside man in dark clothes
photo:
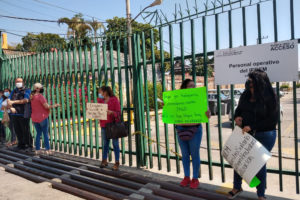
x: 4, y: 107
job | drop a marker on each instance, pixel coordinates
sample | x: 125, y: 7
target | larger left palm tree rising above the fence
x: 77, y: 27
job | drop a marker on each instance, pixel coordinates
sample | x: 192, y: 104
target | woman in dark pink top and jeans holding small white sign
x: 106, y: 96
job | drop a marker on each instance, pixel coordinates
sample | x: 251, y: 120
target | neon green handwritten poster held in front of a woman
x: 185, y: 106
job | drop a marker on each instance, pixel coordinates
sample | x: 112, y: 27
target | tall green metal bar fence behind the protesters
x: 71, y: 77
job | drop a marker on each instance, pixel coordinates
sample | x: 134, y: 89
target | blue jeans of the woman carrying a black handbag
x: 106, y: 143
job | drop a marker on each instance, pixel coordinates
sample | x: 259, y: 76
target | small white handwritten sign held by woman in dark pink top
x: 96, y: 111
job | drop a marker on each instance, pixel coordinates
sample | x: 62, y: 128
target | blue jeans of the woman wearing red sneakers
x: 191, y: 148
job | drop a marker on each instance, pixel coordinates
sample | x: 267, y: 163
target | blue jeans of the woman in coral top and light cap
x: 40, y: 128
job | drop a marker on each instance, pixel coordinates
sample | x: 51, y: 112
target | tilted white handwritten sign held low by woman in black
x: 245, y: 154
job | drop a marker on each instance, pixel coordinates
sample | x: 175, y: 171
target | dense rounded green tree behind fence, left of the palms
x: 42, y: 41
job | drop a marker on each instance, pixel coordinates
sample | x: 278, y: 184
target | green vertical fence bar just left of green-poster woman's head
x: 173, y: 88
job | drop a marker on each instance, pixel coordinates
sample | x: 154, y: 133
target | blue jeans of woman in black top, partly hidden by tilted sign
x: 267, y: 139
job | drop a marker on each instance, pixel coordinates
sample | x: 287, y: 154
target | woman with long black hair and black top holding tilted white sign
x: 257, y: 114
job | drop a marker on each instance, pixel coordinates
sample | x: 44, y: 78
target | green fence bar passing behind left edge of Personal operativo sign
x: 219, y: 106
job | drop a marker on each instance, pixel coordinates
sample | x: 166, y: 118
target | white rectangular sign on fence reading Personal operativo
x: 279, y: 60
